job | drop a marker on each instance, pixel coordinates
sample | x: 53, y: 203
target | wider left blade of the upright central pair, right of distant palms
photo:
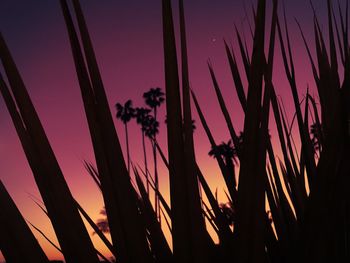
x: 181, y: 225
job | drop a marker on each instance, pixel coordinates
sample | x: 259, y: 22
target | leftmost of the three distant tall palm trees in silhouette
x: 125, y: 113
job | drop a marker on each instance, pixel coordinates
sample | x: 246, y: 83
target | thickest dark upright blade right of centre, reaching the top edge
x: 251, y: 208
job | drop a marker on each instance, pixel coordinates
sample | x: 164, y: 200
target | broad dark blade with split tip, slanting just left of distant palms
x: 120, y: 200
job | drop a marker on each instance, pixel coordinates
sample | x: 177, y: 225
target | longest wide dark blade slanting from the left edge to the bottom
x: 74, y: 239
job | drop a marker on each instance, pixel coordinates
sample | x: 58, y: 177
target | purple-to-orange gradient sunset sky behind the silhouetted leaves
x: 127, y: 37
